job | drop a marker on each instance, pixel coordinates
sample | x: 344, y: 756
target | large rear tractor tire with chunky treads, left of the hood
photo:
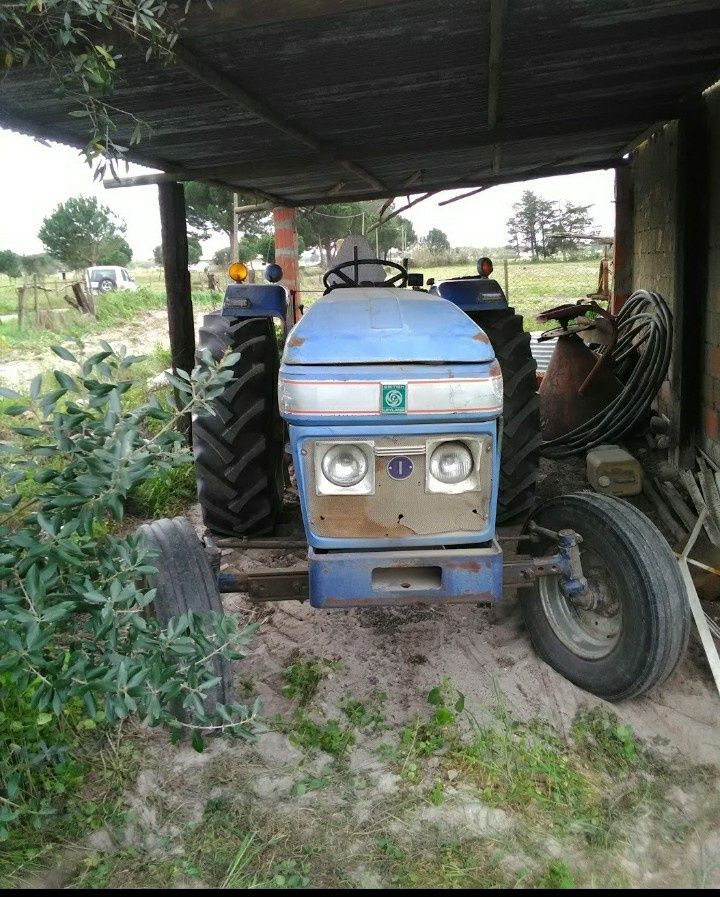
x: 239, y: 450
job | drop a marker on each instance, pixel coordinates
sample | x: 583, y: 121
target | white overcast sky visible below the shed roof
x: 35, y: 178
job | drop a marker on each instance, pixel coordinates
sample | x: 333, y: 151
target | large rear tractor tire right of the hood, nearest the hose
x: 520, y: 452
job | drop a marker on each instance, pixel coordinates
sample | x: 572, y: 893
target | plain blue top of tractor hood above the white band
x: 378, y: 325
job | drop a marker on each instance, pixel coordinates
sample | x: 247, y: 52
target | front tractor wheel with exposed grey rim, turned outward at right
x: 629, y: 630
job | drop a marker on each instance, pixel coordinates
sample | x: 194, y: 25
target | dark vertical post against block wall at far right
x: 691, y: 282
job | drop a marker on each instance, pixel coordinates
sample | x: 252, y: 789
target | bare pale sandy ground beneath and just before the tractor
x: 407, y: 651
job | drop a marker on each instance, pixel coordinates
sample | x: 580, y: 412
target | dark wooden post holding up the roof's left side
x: 177, y: 277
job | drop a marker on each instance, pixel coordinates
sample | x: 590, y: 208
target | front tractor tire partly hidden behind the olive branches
x: 185, y: 581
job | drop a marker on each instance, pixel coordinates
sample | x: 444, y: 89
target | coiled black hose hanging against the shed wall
x: 640, y: 360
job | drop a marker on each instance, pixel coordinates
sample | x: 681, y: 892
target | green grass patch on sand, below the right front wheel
x: 591, y: 786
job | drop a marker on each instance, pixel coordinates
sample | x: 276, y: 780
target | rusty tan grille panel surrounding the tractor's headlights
x: 399, y: 509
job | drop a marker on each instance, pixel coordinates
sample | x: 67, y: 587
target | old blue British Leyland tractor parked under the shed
x: 409, y: 420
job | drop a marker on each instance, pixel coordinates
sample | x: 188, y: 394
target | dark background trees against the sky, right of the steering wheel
x: 543, y: 227
